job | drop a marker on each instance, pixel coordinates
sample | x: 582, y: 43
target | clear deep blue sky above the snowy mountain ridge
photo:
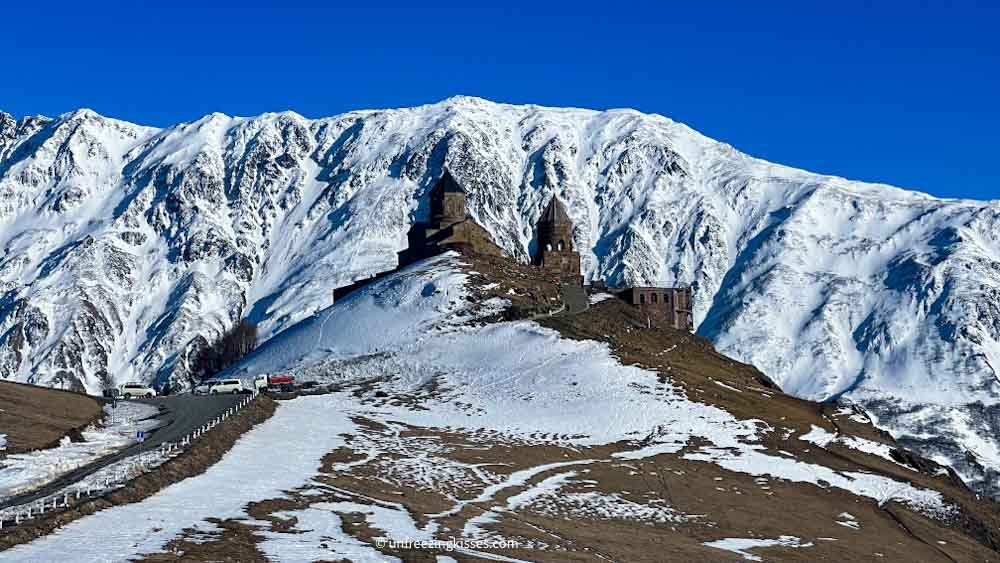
x: 904, y: 93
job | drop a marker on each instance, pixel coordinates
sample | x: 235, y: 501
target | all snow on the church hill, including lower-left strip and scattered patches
x: 553, y: 391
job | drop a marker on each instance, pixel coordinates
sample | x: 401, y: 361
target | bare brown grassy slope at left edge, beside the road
x: 38, y: 417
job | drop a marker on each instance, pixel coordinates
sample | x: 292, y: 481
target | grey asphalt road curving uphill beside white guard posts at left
x: 181, y: 414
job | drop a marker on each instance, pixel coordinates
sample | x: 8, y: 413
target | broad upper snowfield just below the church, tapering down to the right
x: 412, y: 331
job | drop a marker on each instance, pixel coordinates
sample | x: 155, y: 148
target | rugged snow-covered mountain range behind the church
x: 124, y: 248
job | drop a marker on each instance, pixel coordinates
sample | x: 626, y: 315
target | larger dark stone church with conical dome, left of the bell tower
x: 450, y: 226
